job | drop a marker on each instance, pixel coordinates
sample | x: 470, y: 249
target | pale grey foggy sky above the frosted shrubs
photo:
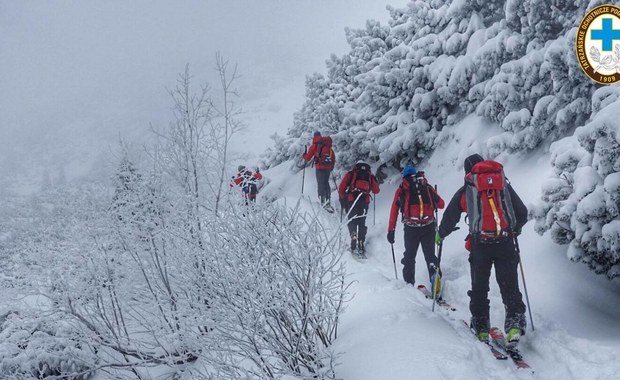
x: 74, y: 73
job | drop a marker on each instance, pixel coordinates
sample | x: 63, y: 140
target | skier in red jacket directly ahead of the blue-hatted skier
x: 354, y: 195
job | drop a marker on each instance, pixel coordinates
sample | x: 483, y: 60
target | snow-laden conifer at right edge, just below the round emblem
x: 581, y: 203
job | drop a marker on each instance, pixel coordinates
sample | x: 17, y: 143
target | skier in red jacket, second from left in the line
x: 324, y: 159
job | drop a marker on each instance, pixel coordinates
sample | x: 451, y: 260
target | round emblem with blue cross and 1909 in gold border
x: 598, y: 44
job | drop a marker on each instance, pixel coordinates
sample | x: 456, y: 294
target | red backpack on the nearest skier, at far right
x: 489, y: 206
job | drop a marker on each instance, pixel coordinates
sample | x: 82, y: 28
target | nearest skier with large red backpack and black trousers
x: 496, y: 216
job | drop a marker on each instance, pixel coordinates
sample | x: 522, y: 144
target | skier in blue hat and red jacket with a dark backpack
x: 417, y: 201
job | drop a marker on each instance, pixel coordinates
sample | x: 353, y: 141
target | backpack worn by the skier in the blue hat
x: 416, y: 201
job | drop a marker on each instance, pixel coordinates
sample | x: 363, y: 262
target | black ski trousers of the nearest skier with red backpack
x: 506, y: 260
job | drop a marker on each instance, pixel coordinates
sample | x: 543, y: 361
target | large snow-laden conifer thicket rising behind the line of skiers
x: 511, y: 62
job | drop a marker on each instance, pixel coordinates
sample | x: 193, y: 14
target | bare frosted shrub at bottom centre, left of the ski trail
x: 276, y: 289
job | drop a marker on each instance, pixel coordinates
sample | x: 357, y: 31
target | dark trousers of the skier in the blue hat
x: 414, y: 236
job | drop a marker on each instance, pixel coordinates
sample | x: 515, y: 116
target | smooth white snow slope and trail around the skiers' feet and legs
x: 388, y: 330
